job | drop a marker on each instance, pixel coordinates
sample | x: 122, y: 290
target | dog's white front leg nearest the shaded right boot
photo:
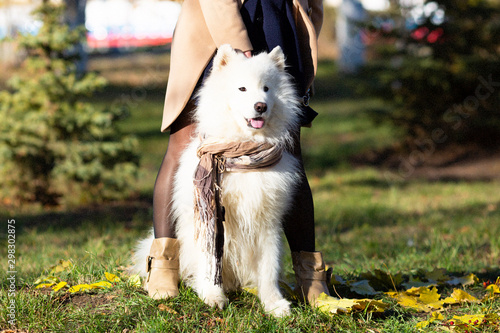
x: 268, y: 274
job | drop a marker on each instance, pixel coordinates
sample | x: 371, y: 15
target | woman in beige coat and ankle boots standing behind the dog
x: 248, y: 26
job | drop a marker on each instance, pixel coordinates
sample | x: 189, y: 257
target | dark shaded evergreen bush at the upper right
x: 443, y: 74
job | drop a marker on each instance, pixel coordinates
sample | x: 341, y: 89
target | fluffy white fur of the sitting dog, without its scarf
x: 255, y: 201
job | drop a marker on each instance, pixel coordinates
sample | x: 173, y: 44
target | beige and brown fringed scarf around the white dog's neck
x: 216, y: 158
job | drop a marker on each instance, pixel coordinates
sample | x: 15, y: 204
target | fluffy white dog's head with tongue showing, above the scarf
x: 247, y: 98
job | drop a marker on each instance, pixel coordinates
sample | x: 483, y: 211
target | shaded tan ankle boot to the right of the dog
x: 311, y: 276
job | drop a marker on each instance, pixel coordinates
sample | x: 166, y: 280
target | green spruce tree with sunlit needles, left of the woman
x: 54, y: 144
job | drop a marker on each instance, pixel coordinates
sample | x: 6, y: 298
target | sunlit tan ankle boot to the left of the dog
x: 163, y: 268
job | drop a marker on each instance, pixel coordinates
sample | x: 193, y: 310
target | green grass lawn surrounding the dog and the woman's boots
x: 366, y: 219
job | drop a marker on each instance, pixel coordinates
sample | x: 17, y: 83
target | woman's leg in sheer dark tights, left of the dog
x: 181, y: 132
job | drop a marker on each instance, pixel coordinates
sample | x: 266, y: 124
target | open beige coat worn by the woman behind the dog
x: 204, y: 25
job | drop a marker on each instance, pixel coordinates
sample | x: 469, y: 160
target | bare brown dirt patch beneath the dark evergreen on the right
x: 468, y: 162
